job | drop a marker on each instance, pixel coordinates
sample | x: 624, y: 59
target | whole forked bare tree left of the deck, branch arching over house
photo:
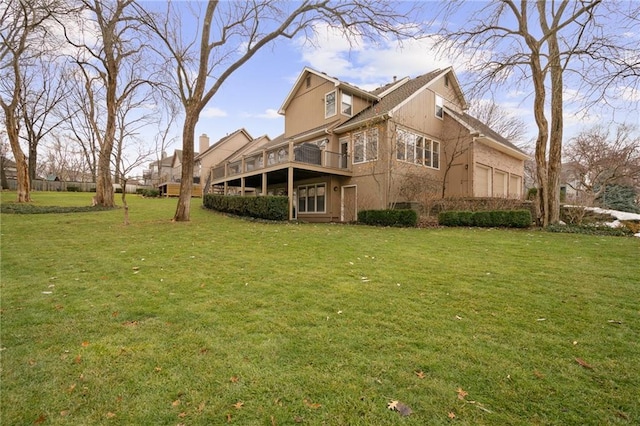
x: 231, y: 33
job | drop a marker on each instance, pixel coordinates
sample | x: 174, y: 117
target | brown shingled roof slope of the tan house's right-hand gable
x: 394, y: 96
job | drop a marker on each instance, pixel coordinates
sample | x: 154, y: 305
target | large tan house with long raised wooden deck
x: 346, y: 149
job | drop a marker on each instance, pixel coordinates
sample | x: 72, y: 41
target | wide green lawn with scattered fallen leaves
x: 226, y: 320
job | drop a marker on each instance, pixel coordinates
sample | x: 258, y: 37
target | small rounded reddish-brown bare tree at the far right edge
x: 598, y: 157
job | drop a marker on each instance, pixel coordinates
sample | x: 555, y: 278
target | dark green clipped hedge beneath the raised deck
x: 267, y: 207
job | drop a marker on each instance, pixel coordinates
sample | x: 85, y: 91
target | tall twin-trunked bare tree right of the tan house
x: 535, y: 44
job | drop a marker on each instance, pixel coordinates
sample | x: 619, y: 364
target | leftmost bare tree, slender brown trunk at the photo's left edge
x: 22, y: 31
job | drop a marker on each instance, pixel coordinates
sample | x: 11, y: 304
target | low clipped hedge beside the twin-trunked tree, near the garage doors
x: 487, y: 219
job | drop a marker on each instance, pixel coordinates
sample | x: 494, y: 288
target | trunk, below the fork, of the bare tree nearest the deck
x: 183, y: 210
